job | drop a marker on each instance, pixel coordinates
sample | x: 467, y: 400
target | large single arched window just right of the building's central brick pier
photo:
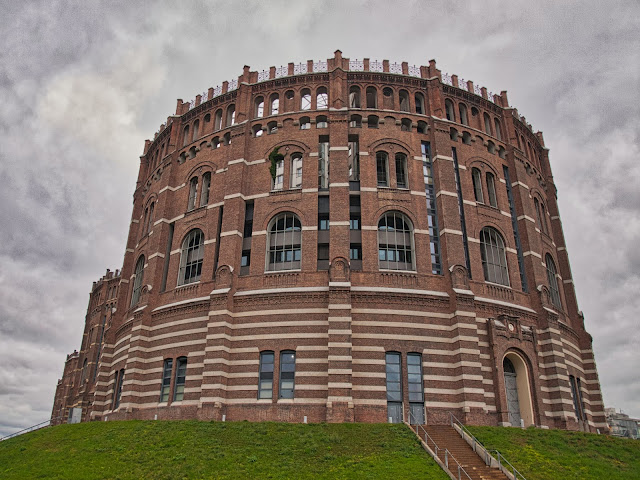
x: 395, y: 242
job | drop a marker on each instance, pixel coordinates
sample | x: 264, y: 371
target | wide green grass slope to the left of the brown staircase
x: 206, y: 450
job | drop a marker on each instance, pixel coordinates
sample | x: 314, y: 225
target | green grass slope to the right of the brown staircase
x: 556, y: 454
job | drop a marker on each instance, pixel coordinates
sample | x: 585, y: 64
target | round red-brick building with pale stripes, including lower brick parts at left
x: 341, y: 241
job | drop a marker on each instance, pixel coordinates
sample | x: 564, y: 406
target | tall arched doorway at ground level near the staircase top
x: 517, y: 390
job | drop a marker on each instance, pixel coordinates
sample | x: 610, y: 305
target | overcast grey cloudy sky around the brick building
x: 83, y: 84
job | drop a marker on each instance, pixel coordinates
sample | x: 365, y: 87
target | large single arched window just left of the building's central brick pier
x: 284, y: 249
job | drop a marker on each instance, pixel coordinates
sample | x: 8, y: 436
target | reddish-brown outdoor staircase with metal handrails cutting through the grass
x: 446, y: 437
